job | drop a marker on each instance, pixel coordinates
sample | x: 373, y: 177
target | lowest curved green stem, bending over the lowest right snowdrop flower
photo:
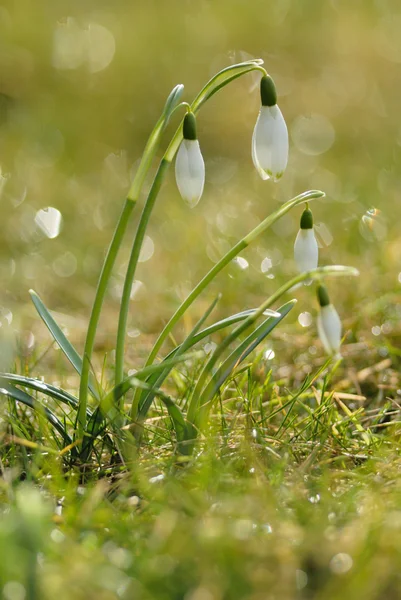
x: 320, y: 272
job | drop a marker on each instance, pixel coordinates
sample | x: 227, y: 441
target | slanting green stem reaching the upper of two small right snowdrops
x: 241, y: 245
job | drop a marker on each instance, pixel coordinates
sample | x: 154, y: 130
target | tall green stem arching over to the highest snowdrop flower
x: 216, y: 83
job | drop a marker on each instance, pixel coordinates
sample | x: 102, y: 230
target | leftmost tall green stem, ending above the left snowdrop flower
x: 132, y: 198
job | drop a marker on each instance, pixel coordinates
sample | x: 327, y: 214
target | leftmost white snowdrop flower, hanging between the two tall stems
x: 189, y: 165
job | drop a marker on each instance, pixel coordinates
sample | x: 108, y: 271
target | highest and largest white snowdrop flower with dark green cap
x: 270, y: 136
